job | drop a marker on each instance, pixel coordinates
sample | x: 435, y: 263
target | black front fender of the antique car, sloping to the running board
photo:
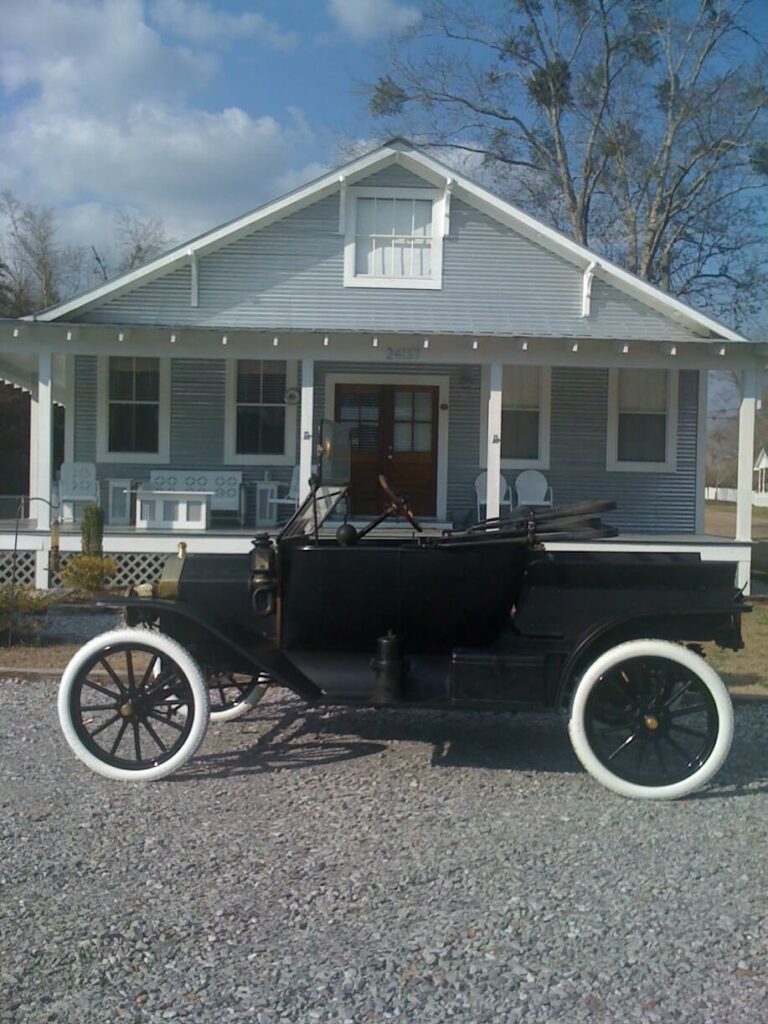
x: 252, y: 648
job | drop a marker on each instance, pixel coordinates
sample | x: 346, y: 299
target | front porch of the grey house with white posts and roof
x: 568, y: 415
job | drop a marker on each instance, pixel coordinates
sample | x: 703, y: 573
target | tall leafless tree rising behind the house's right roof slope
x: 637, y: 126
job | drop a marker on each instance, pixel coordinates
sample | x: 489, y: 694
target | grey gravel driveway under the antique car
x: 367, y: 868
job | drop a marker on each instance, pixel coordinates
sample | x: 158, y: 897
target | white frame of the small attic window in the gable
x: 351, y: 197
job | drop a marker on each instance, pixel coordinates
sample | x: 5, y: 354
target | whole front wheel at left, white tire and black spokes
x: 134, y: 705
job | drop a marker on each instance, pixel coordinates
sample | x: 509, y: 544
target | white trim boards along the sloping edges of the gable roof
x: 404, y: 153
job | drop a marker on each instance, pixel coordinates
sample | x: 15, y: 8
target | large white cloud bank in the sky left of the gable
x: 101, y: 118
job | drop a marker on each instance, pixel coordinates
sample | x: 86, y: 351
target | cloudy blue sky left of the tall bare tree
x: 191, y: 111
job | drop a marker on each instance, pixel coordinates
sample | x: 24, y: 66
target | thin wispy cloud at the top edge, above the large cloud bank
x: 198, y: 23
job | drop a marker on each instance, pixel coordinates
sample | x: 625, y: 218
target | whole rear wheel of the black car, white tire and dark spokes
x: 651, y: 719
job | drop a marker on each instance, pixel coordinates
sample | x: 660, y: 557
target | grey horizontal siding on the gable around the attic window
x: 289, y: 276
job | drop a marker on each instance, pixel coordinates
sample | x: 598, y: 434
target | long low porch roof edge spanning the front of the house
x: 22, y: 344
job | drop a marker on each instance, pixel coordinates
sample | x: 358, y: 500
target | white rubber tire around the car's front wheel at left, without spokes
x: 165, y: 646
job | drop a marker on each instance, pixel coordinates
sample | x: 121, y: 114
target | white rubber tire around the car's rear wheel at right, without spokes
x: 673, y: 653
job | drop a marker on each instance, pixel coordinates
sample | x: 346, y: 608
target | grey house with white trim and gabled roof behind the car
x: 453, y: 332
